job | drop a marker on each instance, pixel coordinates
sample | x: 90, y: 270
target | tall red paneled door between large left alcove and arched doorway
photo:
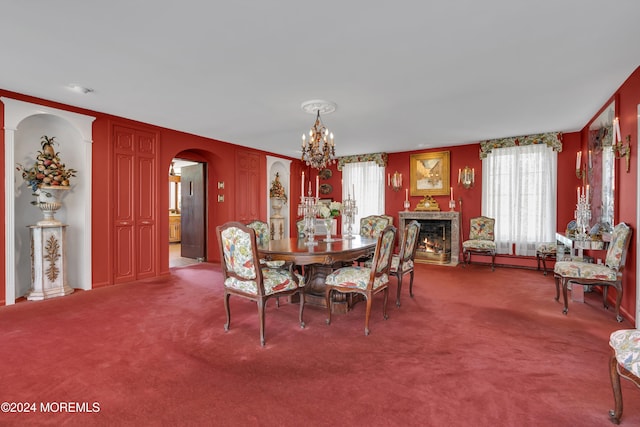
x: 134, y: 204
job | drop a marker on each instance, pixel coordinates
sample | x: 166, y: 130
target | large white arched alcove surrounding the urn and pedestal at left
x: 25, y: 124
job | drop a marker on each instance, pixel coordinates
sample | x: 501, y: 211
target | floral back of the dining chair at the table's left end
x: 239, y: 256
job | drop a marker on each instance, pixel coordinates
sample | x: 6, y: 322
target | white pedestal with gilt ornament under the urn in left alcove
x: 48, y: 262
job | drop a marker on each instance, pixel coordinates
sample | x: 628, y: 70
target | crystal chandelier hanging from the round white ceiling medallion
x: 319, y: 151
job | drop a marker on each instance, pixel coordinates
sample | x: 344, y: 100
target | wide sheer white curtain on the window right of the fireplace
x: 519, y: 187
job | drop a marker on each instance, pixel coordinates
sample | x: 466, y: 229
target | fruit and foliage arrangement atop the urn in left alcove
x: 47, y: 170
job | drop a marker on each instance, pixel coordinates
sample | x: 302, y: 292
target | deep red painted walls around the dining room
x: 221, y: 156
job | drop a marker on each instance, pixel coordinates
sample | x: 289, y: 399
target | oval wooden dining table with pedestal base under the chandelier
x: 318, y: 260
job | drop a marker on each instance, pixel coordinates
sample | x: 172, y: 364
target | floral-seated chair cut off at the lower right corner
x: 624, y: 362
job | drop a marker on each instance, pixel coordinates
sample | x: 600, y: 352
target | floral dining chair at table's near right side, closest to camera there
x: 365, y: 281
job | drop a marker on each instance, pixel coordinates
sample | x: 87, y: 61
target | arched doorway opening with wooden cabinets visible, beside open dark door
x: 176, y: 258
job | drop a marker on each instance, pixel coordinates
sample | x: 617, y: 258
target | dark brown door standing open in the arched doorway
x: 193, y: 202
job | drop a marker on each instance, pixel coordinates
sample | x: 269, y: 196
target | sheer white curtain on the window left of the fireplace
x: 366, y: 179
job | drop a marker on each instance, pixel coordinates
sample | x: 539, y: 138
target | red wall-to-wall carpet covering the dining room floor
x: 473, y: 348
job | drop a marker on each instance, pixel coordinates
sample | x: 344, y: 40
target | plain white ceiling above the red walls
x: 405, y: 75
